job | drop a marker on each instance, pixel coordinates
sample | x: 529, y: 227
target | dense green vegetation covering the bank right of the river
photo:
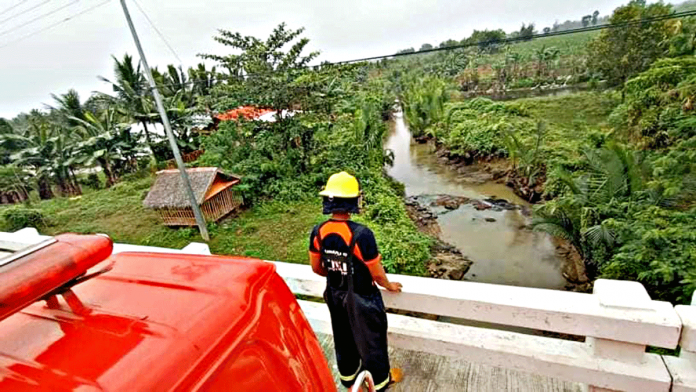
x: 615, y: 168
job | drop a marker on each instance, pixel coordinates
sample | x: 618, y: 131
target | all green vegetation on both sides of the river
x: 613, y: 171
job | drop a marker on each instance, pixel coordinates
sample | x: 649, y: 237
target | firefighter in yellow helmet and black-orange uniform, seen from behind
x: 346, y: 253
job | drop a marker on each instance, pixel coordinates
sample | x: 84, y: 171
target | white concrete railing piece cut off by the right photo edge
x: 683, y: 368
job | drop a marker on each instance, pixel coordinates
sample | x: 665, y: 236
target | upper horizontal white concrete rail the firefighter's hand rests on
x: 647, y: 322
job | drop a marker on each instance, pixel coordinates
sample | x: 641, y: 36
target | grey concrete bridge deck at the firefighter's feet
x: 428, y: 372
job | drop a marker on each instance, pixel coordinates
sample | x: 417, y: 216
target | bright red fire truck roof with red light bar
x: 75, y: 317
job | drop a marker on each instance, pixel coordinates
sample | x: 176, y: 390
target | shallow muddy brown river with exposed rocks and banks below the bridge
x: 482, y: 225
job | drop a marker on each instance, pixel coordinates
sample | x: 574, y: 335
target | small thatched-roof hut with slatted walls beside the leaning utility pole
x: 214, y: 191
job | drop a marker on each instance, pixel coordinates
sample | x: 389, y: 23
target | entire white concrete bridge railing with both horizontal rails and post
x: 618, y: 320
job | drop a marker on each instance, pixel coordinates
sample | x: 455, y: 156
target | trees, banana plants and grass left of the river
x: 327, y: 119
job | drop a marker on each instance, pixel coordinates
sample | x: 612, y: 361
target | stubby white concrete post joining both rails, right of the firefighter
x: 622, y: 296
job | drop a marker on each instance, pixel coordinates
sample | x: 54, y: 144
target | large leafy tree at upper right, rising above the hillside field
x: 620, y: 53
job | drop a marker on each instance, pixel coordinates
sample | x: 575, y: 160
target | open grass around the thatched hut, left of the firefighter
x: 272, y: 231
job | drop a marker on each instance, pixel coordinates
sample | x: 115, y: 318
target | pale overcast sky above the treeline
x: 72, y: 54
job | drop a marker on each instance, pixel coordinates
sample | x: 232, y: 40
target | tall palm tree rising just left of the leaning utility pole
x: 132, y: 93
